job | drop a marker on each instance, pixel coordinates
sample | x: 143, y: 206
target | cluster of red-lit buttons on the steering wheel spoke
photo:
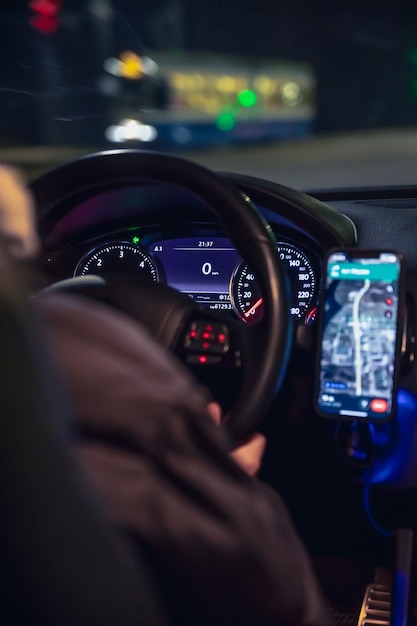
x: 207, y: 338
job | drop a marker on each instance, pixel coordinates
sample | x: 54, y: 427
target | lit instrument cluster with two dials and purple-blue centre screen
x: 210, y: 271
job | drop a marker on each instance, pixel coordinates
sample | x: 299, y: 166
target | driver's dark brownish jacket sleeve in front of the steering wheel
x: 220, y: 544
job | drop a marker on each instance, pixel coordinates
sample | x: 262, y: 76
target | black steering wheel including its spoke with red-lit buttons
x: 200, y: 338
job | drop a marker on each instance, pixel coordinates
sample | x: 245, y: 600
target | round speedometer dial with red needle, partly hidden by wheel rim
x: 246, y: 294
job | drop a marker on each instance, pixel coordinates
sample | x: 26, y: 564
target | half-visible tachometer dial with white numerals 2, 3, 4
x: 117, y: 257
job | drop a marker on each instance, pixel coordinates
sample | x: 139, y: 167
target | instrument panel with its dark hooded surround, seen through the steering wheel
x: 163, y: 233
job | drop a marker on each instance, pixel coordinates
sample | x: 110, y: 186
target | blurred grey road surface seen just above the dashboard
x: 357, y: 159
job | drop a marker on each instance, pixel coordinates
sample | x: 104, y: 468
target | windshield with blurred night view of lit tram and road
x: 310, y: 94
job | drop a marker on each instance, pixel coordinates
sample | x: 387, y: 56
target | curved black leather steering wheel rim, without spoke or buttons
x: 246, y: 228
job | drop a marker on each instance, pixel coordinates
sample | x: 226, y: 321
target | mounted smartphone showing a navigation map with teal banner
x: 360, y: 335
